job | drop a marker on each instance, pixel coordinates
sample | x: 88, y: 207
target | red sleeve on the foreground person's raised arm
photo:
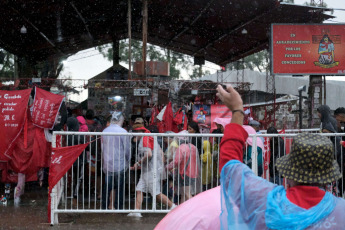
x: 231, y: 146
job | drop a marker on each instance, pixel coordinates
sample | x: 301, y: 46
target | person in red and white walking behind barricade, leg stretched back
x: 146, y: 148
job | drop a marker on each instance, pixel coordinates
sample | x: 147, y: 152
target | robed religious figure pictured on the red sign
x: 326, y: 51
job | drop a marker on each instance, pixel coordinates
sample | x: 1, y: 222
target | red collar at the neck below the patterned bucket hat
x: 305, y: 196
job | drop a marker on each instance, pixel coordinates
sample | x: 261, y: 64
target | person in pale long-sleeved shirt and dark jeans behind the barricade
x: 116, y: 157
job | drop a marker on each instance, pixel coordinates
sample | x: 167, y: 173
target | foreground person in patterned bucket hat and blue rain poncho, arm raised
x: 249, y: 202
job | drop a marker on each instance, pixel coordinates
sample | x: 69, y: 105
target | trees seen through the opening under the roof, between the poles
x: 154, y: 53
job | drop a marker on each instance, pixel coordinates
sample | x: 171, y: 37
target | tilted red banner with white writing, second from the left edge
x: 45, y: 109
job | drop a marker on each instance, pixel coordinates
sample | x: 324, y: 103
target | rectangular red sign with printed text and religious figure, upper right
x: 308, y: 49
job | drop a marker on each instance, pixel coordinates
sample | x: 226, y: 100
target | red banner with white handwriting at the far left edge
x: 13, y: 106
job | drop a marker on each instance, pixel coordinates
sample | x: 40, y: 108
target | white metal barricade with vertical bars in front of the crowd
x: 107, y: 178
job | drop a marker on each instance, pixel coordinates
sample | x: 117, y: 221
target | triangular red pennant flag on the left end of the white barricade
x: 62, y: 160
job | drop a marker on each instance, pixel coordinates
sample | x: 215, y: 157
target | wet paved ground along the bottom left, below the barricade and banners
x: 32, y: 214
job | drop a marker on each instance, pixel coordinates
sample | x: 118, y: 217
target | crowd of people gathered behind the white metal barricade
x: 185, y: 165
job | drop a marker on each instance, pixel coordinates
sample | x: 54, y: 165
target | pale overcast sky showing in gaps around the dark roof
x: 88, y: 63
